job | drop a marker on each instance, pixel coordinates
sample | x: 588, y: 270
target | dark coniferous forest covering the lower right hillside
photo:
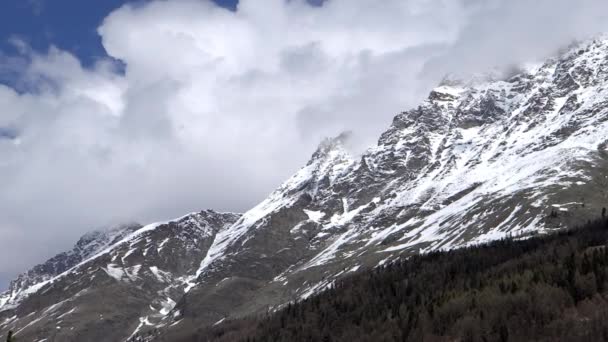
x: 551, y: 288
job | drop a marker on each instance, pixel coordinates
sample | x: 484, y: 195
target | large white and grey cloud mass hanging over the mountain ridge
x: 211, y: 108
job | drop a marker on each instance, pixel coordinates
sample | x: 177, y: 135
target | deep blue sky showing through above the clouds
x: 68, y: 24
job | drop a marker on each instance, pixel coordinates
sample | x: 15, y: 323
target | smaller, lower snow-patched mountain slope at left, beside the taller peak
x: 122, y: 288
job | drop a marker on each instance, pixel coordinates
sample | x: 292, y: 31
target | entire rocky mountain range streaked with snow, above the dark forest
x: 477, y: 161
